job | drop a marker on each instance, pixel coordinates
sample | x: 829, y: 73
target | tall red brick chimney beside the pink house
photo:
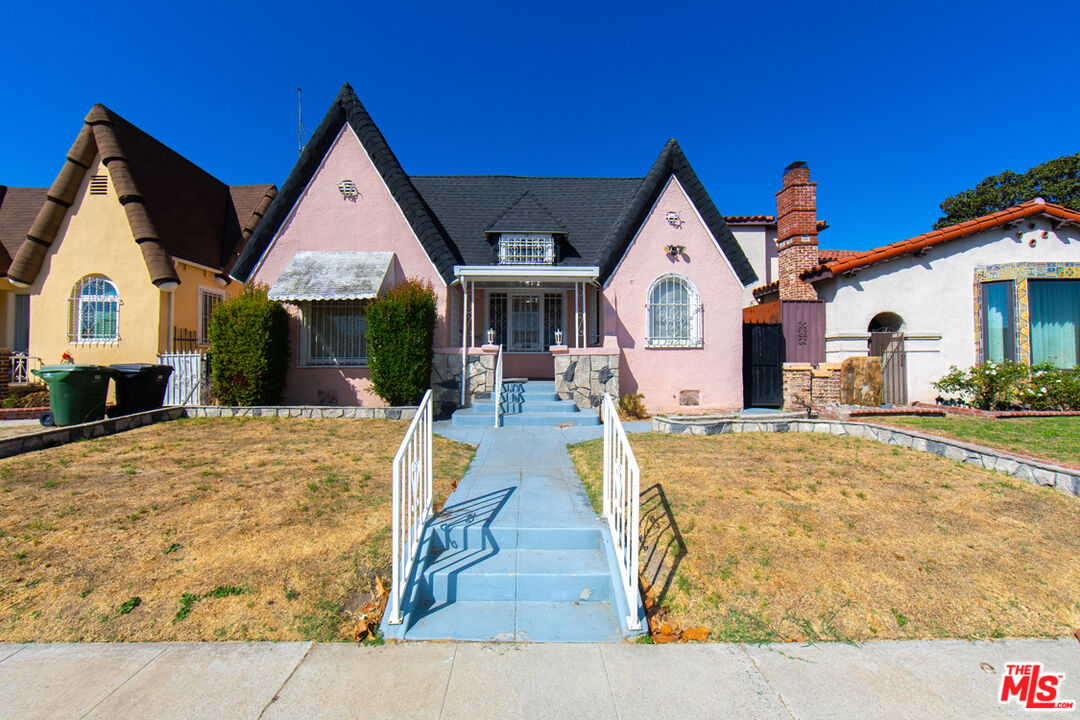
x: 796, y: 233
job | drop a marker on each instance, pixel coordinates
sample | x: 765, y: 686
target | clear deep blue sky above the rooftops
x: 895, y: 106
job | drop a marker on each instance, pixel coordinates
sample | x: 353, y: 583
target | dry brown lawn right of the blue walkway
x: 809, y: 538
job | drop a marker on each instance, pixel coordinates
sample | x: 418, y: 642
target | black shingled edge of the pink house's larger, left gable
x: 347, y: 108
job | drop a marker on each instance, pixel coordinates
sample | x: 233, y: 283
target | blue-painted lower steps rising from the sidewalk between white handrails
x: 524, y: 585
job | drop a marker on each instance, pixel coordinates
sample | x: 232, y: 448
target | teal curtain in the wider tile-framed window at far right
x: 1056, y: 322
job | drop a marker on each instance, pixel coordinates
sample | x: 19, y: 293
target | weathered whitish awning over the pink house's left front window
x: 333, y: 276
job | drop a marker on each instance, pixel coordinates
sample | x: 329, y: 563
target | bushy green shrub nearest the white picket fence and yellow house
x: 249, y: 339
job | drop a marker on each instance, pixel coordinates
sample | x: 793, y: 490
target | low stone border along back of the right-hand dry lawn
x: 1066, y: 480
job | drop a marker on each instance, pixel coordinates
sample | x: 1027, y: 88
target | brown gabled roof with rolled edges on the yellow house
x: 175, y: 209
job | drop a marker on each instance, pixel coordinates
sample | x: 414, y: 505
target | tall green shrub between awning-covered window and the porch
x: 401, y: 325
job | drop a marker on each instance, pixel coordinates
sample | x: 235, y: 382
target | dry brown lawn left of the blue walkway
x: 224, y: 529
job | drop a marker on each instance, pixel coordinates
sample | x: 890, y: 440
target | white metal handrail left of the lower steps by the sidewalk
x: 412, y: 502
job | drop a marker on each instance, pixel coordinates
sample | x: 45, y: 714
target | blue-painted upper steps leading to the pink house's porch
x: 526, y: 403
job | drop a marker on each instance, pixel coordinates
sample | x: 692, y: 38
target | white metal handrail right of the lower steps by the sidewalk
x: 623, y: 483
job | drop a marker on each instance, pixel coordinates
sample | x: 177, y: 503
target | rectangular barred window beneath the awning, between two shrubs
x: 333, y: 334
